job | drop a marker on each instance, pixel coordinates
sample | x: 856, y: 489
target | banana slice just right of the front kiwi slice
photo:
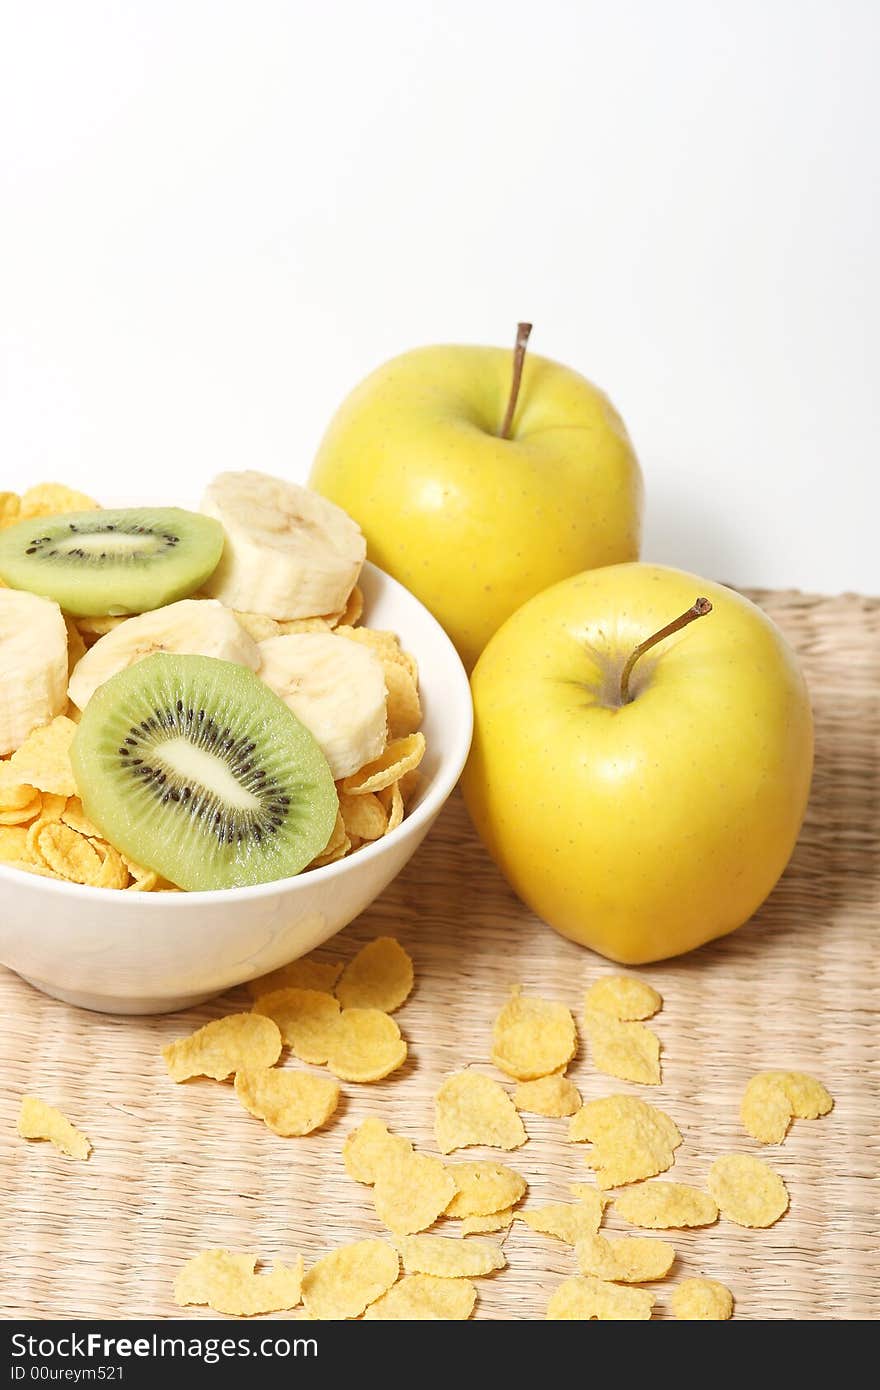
x: 336, y: 689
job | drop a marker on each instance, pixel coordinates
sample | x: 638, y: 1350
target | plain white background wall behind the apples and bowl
x: 216, y: 218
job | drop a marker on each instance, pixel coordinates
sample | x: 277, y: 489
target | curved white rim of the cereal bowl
x: 437, y: 793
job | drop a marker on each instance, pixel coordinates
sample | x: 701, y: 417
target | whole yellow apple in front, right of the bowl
x: 649, y: 822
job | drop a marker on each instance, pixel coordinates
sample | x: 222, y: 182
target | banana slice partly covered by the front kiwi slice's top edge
x: 191, y: 628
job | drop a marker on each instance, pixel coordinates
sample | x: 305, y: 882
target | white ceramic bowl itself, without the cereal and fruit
x: 141, y: 953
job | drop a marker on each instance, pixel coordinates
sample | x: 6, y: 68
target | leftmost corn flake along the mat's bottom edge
x: 229, y: 1285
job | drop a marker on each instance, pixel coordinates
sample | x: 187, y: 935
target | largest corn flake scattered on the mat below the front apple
x: 630, y: 1139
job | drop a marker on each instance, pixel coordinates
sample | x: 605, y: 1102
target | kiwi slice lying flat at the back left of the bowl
x: 112, y: 562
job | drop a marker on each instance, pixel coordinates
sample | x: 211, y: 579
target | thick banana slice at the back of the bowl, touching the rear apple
x: 288, y: 553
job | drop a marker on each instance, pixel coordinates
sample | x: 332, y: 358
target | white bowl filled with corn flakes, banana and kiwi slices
x: 215, y: 751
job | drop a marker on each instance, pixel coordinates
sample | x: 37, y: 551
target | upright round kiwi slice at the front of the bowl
x: 195, y: 768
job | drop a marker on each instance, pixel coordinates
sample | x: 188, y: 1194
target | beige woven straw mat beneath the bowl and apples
x: 181, y: 1168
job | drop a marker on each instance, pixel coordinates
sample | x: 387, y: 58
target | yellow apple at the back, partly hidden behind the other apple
x: 472, y: 522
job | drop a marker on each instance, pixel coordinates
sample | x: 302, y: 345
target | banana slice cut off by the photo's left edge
x: 33, y: 665
